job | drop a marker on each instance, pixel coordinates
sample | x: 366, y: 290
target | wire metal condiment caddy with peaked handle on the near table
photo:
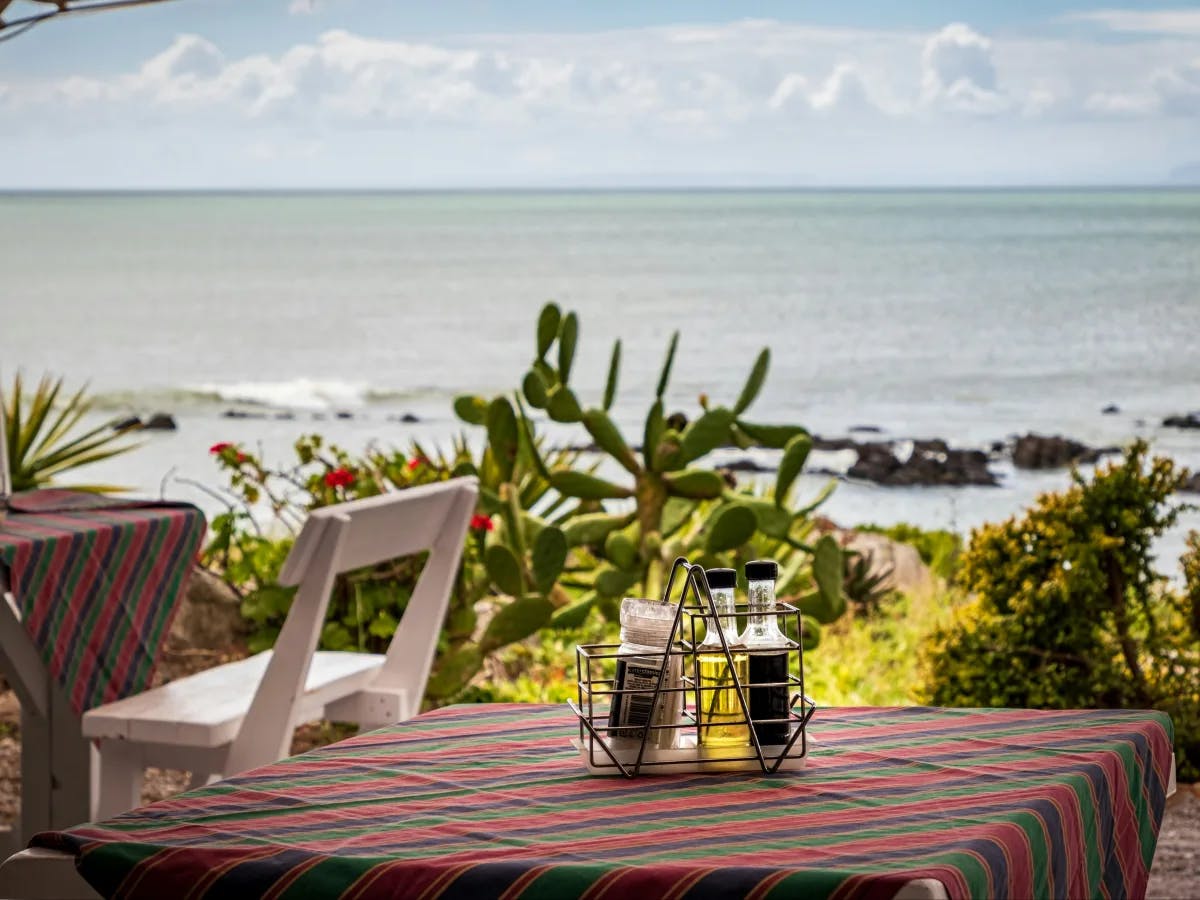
x: 676, y: 746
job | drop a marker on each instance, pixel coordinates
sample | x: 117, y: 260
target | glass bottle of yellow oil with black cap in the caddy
x: 719, y: 712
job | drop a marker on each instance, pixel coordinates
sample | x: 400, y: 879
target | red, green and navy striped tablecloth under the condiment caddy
x: 490, y: 802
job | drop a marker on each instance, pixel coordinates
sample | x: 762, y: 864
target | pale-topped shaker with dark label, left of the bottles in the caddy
x: 645, y: 629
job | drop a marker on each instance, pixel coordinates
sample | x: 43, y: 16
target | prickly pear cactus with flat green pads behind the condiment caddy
x: 679, y: 508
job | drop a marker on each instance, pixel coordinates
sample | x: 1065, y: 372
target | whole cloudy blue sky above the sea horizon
x: 465, y: 93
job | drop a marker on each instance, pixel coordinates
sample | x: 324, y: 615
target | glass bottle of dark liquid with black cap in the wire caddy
x: 769, y: 649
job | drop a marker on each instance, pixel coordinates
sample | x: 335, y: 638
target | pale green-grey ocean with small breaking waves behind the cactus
x: 964, y: 315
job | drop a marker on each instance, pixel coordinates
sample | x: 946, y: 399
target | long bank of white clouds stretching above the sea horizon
x: 747, y: 98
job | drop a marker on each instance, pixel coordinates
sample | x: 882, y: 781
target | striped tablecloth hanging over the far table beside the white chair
x: 98, y: 584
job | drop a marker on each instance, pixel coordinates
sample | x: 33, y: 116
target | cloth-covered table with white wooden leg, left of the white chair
x: 91, y: 587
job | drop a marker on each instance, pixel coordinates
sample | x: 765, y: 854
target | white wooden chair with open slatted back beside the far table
x: 242, y: 715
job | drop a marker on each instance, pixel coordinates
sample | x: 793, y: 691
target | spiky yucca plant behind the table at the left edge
x: 45, y: 439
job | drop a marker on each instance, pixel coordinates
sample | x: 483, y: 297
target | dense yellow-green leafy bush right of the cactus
x: 1069, y: 611
